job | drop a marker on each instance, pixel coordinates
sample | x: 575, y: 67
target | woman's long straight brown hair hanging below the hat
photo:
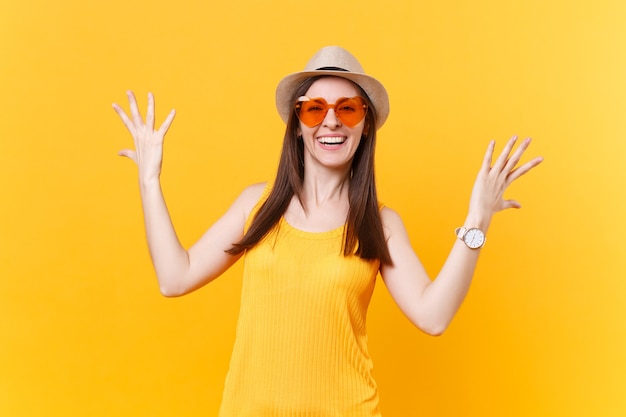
x: 364, y: 235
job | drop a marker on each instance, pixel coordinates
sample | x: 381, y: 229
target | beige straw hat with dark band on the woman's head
x: 335, y: 61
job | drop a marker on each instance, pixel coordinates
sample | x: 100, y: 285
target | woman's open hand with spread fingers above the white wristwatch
x: 492, y: 181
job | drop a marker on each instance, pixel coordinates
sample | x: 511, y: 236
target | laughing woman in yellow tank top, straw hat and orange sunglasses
x: 314, y: 240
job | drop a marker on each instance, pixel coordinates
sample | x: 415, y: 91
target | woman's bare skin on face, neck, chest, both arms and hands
x: 429, y: 303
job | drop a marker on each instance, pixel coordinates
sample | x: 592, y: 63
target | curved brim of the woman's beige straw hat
x: 375, y: 91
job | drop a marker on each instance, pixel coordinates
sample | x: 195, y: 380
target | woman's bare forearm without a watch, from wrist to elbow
x: 169, y: 257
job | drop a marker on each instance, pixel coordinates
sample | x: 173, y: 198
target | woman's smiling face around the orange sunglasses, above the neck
x: 331, y: 144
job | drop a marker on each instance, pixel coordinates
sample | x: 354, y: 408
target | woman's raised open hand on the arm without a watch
x: 148, y: 152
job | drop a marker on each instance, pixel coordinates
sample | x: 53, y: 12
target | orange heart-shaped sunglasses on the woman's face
x: 350, y: 111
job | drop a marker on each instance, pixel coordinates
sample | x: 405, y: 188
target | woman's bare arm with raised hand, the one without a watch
x: 178, y: 271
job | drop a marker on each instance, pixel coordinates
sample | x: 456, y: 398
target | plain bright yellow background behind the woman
x: 83, y: 328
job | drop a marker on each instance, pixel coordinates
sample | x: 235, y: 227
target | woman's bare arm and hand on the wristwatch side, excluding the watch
x: 431, y: 305
